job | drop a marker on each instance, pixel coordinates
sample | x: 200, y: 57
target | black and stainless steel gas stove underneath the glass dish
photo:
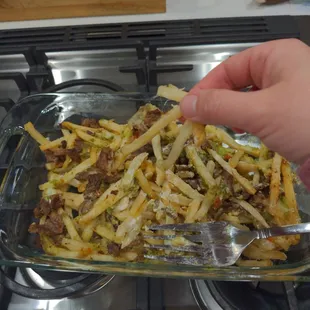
x: 133, y: 57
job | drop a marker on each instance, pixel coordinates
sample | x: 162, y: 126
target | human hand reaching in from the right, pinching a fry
x: 278, y: 113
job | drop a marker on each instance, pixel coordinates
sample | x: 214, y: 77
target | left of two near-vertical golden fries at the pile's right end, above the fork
x: 275, y: 188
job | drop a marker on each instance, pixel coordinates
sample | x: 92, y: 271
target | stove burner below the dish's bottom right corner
x: 218, y: 295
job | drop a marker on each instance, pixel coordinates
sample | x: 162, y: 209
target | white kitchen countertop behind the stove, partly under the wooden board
x: 177, y: 10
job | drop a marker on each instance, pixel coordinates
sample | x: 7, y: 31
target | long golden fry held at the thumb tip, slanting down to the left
x: 170, y: 116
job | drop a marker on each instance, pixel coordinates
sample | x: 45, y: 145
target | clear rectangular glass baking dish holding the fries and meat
x: 23, y: 170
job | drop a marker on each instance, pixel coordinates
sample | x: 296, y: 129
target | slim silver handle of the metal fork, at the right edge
x: 283, y: 231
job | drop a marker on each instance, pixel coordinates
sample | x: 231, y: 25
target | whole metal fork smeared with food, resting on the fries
x: 215, y: 244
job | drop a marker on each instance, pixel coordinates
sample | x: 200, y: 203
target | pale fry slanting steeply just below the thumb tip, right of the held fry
x: 178, y: 145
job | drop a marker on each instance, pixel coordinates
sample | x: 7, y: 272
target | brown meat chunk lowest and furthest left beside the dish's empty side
x: 52, y: 226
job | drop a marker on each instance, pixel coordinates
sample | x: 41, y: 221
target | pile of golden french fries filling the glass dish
x: 151, y: 191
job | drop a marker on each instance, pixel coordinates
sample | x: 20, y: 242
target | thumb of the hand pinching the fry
x: 248, y: 111
